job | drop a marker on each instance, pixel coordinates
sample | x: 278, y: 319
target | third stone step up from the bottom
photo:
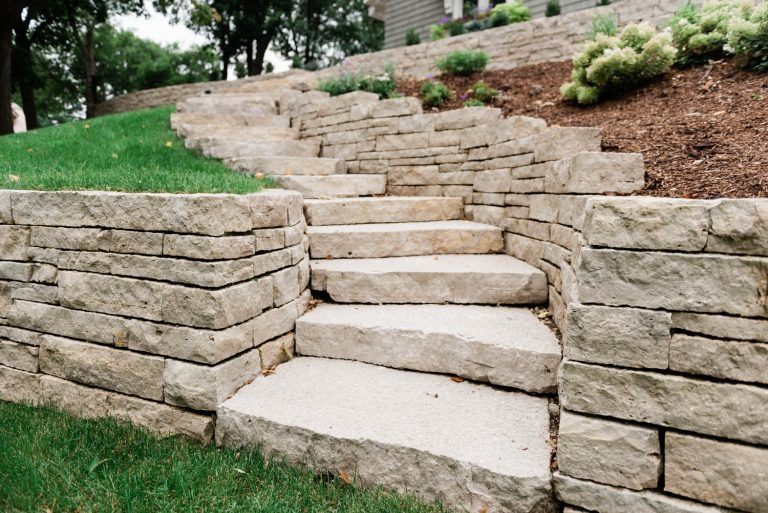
x: 457, y: 279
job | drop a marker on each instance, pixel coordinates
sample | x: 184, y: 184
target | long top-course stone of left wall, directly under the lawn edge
x: 206, y: 214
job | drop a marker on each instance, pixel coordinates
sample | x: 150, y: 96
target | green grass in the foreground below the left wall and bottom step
x: 51, y: 462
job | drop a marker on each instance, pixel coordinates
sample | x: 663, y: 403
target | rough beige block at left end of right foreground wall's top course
x: 647, y: 223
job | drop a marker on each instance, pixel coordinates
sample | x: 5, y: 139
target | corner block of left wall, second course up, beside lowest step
x: 203, y: 387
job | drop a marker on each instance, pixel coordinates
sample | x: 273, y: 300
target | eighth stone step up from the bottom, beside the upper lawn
x: 224, y: 149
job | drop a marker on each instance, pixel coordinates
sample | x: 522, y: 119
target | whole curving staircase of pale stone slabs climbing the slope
x: 422, y: 369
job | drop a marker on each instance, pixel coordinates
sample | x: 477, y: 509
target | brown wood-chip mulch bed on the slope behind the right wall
x: 703, y: 131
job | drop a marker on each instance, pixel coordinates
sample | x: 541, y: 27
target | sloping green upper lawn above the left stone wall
x: 134, y: 152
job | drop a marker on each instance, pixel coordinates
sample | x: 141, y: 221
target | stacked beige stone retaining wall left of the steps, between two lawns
x: 150, y: 307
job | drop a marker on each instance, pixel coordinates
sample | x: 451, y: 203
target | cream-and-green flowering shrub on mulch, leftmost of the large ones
x: 616, y: 63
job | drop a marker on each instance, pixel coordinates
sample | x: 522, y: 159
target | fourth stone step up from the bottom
x: 404, y: 239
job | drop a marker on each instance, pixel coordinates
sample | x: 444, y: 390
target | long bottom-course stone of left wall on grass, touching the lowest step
x: 87, y: 402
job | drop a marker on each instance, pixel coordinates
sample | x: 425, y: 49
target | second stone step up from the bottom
x: 504, y: 346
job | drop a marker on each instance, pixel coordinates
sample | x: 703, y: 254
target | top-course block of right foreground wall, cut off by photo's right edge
x: 739, y: 226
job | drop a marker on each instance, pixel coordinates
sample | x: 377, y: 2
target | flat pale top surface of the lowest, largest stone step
x: 498, y: 431
